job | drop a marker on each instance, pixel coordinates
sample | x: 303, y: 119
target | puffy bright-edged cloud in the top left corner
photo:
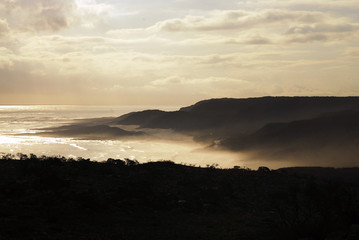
x: 52, y: 15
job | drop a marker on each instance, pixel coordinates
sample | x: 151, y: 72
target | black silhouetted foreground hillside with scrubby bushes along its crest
x: 59, y: 198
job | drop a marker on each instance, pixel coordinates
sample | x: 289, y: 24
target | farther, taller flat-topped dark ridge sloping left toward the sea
x: 239, y: 115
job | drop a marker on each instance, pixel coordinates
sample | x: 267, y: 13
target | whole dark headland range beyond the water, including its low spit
x: 319, y: 130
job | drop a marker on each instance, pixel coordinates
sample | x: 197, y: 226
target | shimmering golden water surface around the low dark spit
x: 17, y: 120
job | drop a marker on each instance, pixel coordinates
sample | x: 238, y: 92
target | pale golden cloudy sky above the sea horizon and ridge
x: 176, y: 52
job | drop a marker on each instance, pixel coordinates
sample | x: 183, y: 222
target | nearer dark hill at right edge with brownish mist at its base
x: 330, y: 139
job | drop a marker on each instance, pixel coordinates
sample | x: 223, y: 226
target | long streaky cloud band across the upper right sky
x: 271, y: 26
